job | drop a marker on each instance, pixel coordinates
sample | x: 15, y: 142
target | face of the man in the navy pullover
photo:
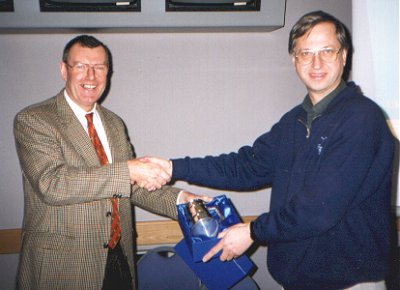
x: 320, y: 77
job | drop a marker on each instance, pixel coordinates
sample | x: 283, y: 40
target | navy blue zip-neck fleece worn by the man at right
x: 329, y: 221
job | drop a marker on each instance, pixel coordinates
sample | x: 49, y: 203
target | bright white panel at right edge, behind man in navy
x: 376, y: 61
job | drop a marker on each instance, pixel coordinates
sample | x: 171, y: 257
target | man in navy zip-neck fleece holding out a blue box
x: 329, y: 163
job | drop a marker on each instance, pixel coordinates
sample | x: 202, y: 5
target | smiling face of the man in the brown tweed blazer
x: 86, y: 86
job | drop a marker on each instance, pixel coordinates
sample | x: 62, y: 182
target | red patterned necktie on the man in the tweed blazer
x: 101, y: 154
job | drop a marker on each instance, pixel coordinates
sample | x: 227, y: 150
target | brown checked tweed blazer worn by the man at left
x: 67, y: 197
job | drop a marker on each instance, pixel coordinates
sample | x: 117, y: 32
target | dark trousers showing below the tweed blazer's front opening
x: 117, y: 275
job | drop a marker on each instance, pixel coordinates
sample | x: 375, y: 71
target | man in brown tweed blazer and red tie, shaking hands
x: 78, y: 191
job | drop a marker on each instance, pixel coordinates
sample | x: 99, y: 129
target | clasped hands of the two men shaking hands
x: 150, y: 173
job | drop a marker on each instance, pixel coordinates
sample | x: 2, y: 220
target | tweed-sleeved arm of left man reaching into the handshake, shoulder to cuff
x: 58, y: 171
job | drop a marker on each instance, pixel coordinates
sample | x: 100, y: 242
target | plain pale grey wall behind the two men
x: 179, y: 93
